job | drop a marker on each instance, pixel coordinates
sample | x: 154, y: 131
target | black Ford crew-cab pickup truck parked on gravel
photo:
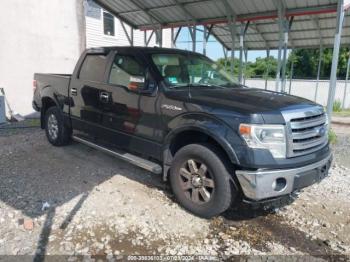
x: 177, y: 113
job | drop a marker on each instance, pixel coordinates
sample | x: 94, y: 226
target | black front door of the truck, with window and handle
x: 130, y: 108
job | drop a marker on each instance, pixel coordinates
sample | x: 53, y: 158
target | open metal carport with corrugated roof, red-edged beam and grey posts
x: 246, y: 25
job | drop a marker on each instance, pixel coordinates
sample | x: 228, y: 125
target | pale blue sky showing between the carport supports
x: 214, y: 48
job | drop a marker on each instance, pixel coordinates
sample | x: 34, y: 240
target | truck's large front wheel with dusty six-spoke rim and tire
x: 187, y: 180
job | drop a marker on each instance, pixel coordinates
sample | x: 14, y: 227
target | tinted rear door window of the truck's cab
x: 93, y: 68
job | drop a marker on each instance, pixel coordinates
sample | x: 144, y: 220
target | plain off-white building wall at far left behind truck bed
x: 37, y: 36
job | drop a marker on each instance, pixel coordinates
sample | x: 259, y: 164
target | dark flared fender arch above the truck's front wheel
x: 209, y: 125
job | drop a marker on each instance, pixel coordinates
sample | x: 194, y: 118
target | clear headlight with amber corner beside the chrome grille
x: 271, y: 137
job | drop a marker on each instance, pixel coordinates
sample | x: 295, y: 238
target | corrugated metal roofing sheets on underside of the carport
x: 263, y: 29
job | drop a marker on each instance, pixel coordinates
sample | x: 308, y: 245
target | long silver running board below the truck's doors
x: 132, y: 159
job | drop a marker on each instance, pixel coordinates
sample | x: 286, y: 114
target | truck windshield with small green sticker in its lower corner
x: 181, y: 71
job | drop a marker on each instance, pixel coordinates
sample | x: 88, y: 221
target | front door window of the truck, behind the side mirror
x: 128, y: 72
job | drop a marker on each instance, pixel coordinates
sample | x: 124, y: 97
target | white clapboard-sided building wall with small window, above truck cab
x: 95, y: 36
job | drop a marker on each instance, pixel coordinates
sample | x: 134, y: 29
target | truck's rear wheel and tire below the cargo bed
x: 57, y: 132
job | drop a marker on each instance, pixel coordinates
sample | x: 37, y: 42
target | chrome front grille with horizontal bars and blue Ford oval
x: 306, y: 130
